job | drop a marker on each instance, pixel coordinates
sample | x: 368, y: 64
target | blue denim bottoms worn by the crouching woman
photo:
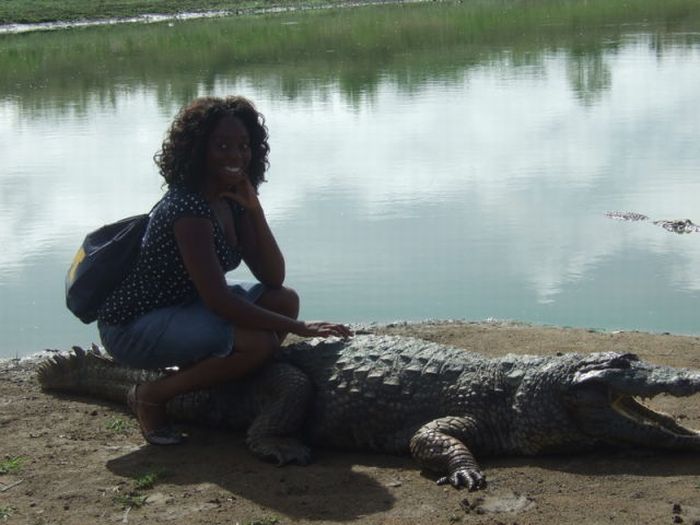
x: 175, y: 335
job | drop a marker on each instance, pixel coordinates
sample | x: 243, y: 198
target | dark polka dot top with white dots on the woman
x: 159, y: 278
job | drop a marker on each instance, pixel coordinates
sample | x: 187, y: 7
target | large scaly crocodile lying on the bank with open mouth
x: 444, y: 405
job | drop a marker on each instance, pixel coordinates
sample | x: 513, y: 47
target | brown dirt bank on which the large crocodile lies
x: 66, y: 460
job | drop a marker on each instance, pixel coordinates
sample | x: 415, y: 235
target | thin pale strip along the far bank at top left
x: 153, y: 18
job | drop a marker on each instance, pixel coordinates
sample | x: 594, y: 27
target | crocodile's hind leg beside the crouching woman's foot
x: 281, y: 395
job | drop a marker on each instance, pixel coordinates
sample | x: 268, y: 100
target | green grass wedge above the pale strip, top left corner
x: 37, y: 11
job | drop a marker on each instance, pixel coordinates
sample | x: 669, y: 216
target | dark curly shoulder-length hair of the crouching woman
x: 181, y: 159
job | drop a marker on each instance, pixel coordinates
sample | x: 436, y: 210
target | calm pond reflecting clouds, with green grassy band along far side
x: 445, y: 162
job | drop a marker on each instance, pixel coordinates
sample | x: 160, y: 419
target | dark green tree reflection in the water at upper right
x: 588, y: 74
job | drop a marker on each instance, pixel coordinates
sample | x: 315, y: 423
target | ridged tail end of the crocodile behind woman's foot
x: 90, y: 373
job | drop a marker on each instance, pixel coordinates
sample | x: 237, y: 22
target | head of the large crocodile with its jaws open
x: 603, y: 396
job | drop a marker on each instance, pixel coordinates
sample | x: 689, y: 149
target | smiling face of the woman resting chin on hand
x: 228, y: 153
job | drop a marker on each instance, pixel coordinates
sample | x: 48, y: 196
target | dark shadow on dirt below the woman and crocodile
x: 319, y: 490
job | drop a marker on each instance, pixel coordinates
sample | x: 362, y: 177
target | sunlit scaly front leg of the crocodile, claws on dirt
x: 439, y: 446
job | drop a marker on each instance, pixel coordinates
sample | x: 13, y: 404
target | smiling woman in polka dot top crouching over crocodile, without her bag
x: 175, y: 309
